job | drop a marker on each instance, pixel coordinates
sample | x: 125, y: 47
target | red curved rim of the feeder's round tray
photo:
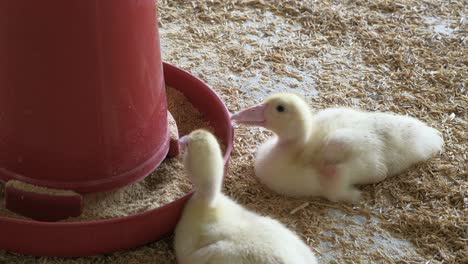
x: 103, y: 236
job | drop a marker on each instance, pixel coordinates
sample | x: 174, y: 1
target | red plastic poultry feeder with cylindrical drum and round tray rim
x: 83, y: 109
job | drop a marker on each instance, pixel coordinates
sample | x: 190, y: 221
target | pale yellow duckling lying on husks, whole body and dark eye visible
x: 327, y: 152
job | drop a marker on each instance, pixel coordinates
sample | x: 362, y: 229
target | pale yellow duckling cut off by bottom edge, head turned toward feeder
x: 215, y: 229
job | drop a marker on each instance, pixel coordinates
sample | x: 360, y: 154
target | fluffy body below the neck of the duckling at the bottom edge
x: 228, y: 233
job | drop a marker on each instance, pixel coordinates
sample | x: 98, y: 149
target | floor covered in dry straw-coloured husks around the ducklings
x: 409, y: 57
